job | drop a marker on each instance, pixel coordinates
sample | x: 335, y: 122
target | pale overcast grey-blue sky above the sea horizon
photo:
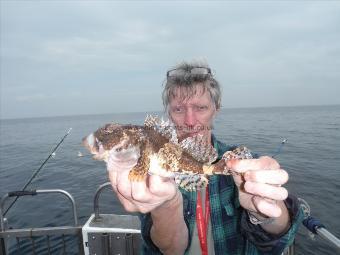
x: 92, y: 57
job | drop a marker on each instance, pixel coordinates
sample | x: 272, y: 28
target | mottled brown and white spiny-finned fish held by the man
x: 188, y: 161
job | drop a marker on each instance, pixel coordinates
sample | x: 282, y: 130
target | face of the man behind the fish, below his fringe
x: 193, y: 115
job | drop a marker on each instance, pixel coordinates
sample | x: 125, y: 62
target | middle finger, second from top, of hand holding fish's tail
x: 278, y: 177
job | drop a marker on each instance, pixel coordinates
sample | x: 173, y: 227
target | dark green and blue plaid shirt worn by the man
x: 231, y: 229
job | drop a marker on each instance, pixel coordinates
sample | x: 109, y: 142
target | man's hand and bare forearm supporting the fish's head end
x: 154, y: 194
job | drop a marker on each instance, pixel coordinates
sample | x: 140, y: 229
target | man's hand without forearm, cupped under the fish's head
x: 142, y: 196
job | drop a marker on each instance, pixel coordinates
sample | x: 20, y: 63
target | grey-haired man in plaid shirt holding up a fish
x: 248, y: 213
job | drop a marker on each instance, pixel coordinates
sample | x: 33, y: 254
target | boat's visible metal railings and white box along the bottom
x: 107, y: 234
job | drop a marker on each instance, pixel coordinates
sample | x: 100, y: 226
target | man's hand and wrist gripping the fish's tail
x: 259, y: 182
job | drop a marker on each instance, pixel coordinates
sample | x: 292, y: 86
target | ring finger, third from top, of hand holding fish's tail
x: 266, y: 190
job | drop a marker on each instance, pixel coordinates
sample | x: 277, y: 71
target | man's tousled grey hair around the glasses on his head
x: 189, y: 82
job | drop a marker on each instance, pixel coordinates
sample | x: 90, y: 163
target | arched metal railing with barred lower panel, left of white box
x: 21, y: 235
